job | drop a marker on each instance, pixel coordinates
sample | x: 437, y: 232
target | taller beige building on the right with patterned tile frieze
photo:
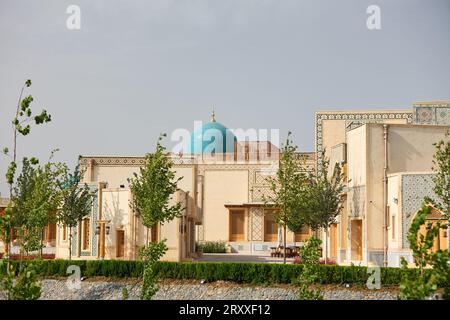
x: 387, y: 159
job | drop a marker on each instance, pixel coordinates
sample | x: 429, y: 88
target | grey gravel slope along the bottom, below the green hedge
x: 194, y: 290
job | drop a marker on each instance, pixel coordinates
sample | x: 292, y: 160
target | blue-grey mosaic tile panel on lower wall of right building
x: 415, y: 187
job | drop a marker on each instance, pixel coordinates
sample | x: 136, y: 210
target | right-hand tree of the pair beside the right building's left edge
x: 323, y: 198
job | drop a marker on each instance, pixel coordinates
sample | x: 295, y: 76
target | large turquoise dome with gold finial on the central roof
x: 213, y: 137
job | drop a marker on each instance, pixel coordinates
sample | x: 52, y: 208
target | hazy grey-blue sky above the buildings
x: 138, y: 68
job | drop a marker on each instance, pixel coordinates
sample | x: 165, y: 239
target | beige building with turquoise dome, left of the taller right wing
x: 223, y: 190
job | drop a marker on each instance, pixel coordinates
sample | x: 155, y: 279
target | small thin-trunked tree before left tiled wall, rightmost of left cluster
x: 76, y: 203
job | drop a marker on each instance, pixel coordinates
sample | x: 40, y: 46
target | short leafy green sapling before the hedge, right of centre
x: 310, y: 257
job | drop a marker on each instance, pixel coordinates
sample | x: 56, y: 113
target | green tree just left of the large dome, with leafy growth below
x: 152, y: 190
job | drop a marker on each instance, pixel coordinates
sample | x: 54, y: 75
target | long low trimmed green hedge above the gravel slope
x: 254, y: 273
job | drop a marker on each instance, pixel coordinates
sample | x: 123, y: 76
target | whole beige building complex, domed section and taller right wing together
x: 386, y: 157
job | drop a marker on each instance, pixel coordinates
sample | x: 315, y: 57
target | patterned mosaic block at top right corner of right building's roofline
x: 435, y: 114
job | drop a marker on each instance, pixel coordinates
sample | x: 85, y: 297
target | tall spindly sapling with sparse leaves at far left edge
x: 21, y: 127
